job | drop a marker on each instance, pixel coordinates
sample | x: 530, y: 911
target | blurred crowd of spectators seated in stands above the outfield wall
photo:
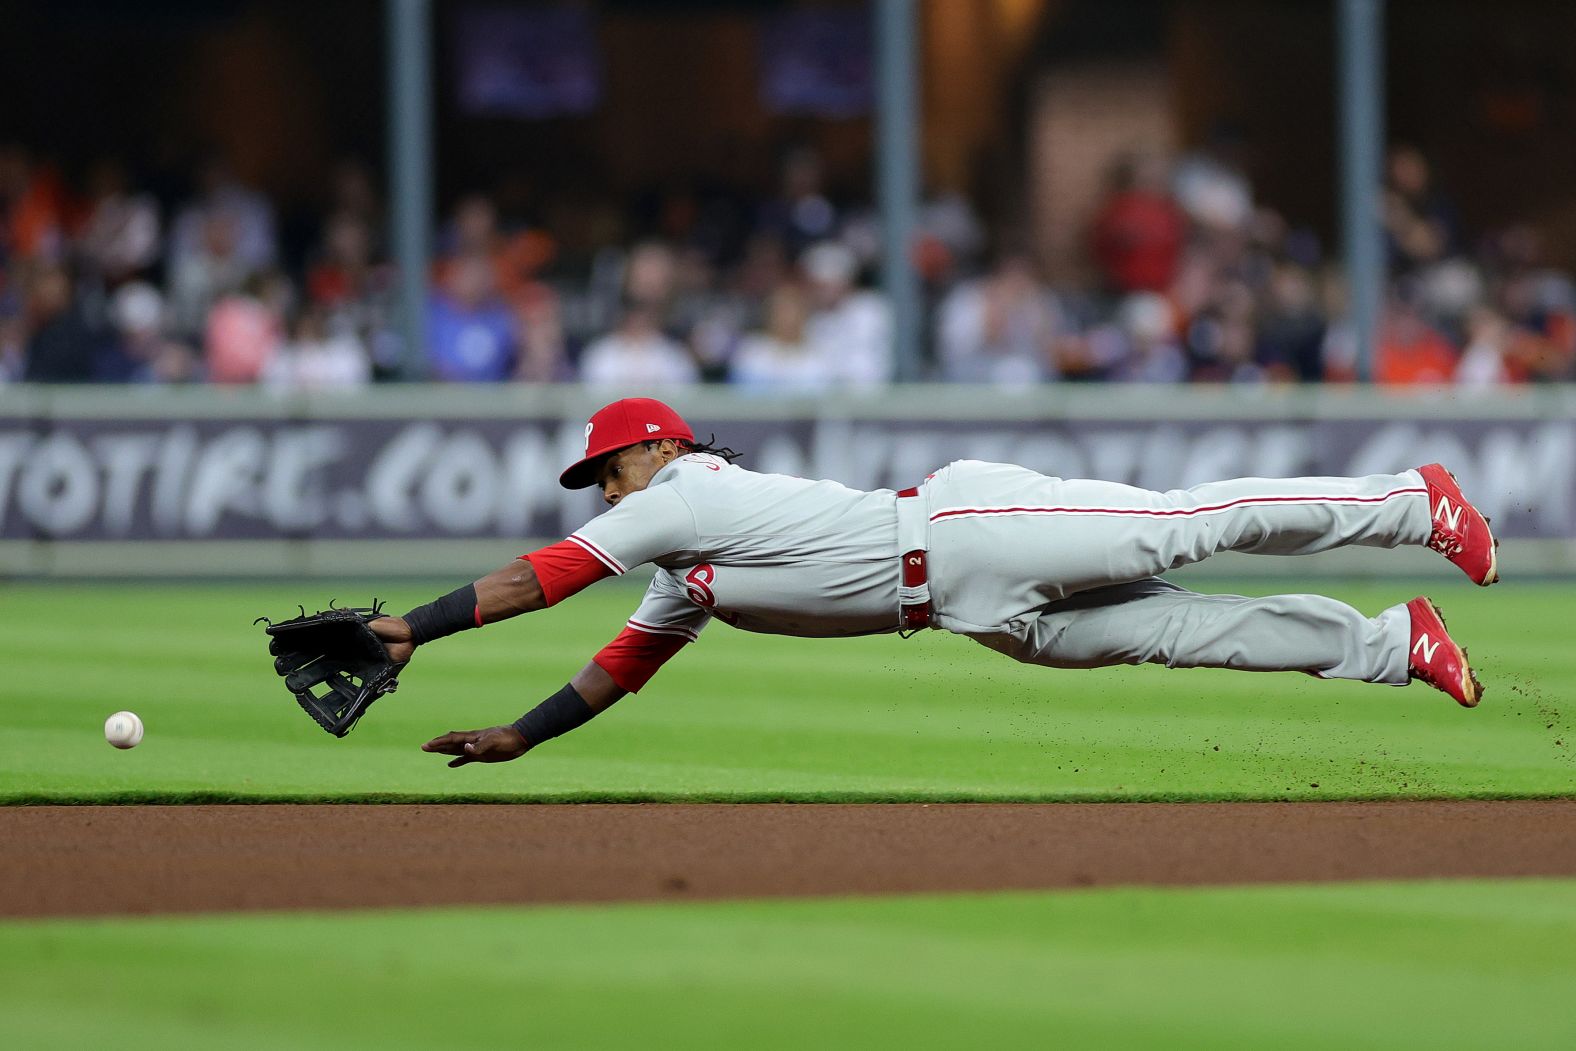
x: 110, y: 278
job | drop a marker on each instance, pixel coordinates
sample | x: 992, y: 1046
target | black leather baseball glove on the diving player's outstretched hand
x: 333, y: 650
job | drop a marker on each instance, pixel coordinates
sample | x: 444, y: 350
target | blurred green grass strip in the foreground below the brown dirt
x: 1419, y: 965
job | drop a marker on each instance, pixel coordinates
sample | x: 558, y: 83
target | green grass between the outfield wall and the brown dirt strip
x: 743, y: 718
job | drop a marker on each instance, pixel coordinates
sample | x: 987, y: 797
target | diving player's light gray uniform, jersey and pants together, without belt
x: 1049, y: 571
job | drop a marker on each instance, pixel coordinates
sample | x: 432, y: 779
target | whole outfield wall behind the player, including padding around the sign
x: 425, y: 480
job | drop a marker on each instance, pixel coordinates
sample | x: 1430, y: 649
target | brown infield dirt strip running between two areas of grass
x: 84, y: 861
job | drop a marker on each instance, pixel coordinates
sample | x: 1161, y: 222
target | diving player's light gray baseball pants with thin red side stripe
x: 1065, y: 573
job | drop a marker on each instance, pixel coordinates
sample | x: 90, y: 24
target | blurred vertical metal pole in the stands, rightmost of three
x: 1362, y: 171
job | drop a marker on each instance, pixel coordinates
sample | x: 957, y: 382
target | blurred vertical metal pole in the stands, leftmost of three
x: 411, y: 168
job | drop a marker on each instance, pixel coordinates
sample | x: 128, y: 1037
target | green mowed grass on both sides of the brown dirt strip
x: 738, y: 718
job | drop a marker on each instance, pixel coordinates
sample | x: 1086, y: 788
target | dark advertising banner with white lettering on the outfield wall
x: 132, y: 480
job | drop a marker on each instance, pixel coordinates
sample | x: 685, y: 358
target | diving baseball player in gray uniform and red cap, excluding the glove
x: 1061, y: 573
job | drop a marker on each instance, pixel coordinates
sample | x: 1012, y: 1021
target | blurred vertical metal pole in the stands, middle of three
x: 898, y: 176
